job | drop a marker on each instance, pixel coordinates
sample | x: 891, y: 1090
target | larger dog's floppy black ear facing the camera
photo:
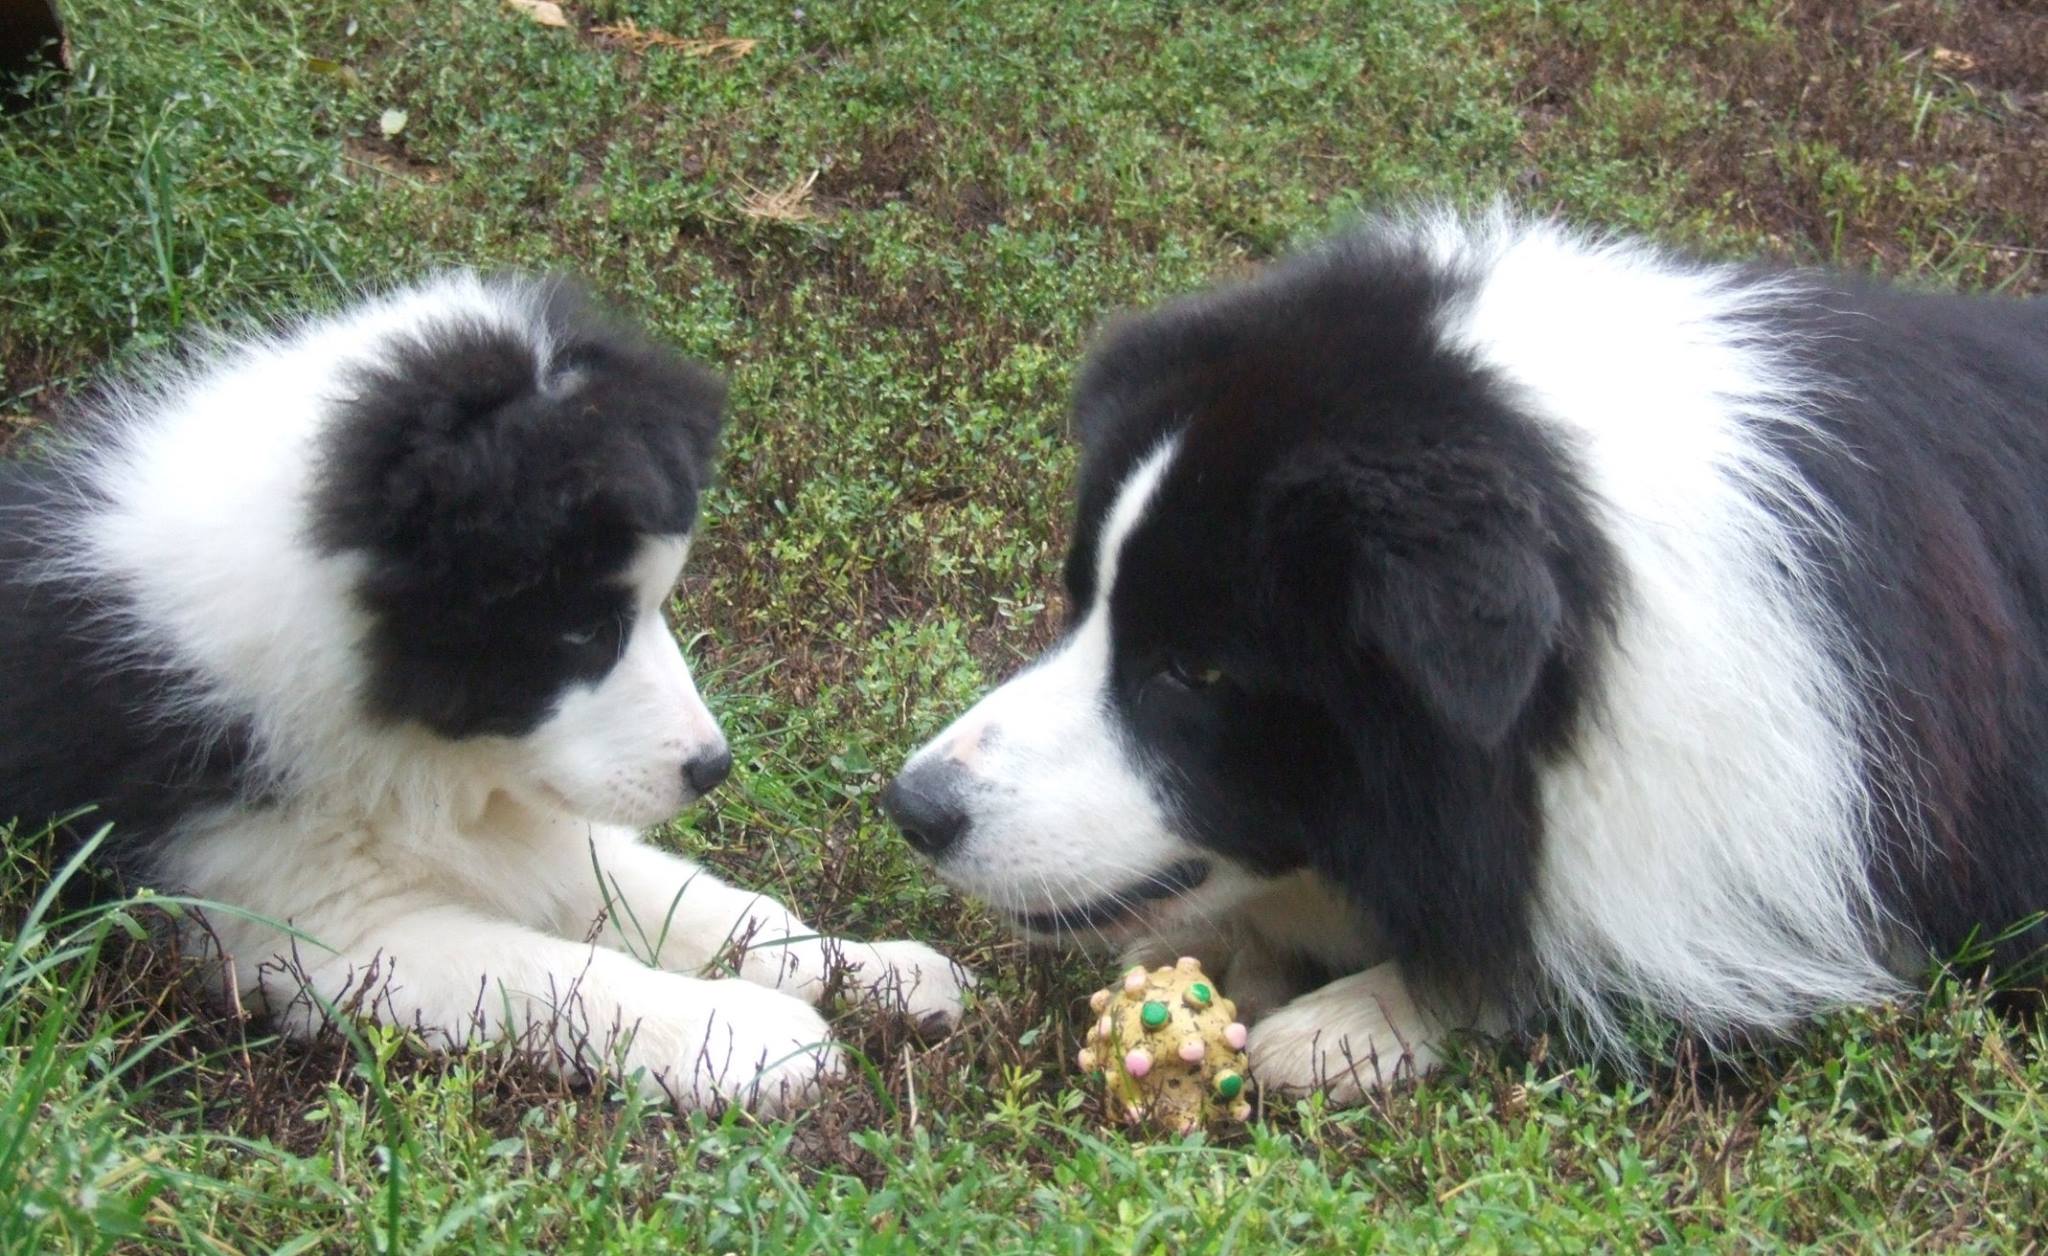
x: 1431, y: 567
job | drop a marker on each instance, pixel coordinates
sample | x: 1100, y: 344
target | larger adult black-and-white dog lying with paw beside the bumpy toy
x: 1476, y: 622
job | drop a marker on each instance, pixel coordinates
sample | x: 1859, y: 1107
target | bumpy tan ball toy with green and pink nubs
x: 1168, y: 1050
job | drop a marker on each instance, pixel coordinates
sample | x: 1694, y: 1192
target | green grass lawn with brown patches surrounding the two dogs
x: 894, y: 224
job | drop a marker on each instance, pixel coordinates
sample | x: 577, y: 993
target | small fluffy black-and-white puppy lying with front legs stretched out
x: 359, y: 630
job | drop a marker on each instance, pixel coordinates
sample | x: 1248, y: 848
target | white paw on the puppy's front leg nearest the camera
x: 736, y: 1044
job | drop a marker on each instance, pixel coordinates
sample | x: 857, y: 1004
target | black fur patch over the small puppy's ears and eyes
x: 499, y: 507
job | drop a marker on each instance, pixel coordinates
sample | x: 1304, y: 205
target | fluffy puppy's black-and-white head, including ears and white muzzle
x: 515, y: 480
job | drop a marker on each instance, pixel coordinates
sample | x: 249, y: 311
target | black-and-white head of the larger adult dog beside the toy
x: 1320, y: 612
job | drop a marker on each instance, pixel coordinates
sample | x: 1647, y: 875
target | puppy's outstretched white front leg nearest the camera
x: 458, y: 976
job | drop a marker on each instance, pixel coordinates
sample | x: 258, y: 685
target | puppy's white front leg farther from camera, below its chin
x: 681, y: 917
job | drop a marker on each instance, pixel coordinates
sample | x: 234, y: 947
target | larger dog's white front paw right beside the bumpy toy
x: 1349, y: 1038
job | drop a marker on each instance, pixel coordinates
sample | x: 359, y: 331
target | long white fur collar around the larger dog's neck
x: 1707, y: 845
